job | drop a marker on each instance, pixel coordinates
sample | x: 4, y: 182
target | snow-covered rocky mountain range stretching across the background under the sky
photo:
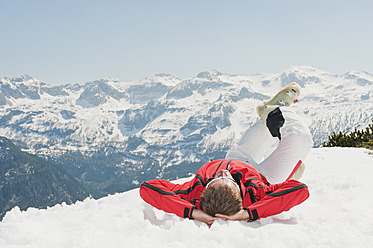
x: 112, y: 135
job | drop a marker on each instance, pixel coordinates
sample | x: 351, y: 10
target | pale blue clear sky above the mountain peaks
x: 74, y: 41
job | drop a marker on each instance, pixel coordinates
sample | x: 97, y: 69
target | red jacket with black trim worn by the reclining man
x: 260, y: 198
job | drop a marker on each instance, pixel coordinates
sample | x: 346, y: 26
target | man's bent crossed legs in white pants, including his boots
x: 275, y: 145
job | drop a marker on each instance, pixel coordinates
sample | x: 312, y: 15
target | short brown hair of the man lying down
x: 219, y: 198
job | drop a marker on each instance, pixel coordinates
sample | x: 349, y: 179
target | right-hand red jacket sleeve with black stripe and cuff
x: 278, y: 198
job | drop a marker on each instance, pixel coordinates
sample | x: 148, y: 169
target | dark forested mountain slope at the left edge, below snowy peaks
x: 29, y: 181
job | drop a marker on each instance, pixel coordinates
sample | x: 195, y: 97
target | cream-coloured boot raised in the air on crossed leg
x: 285, y: 97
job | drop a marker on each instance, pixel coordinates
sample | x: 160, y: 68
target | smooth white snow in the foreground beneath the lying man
x: 339, y: 213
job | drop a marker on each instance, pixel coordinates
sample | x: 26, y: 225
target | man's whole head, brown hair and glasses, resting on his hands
x: 221, y: 196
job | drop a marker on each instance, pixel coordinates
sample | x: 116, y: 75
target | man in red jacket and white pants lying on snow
x: 257, y: 179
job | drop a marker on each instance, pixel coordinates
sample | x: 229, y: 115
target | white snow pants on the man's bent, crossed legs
x: 275, y: 159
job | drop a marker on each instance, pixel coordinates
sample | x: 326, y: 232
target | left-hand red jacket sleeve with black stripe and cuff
x: 160, y: 194
